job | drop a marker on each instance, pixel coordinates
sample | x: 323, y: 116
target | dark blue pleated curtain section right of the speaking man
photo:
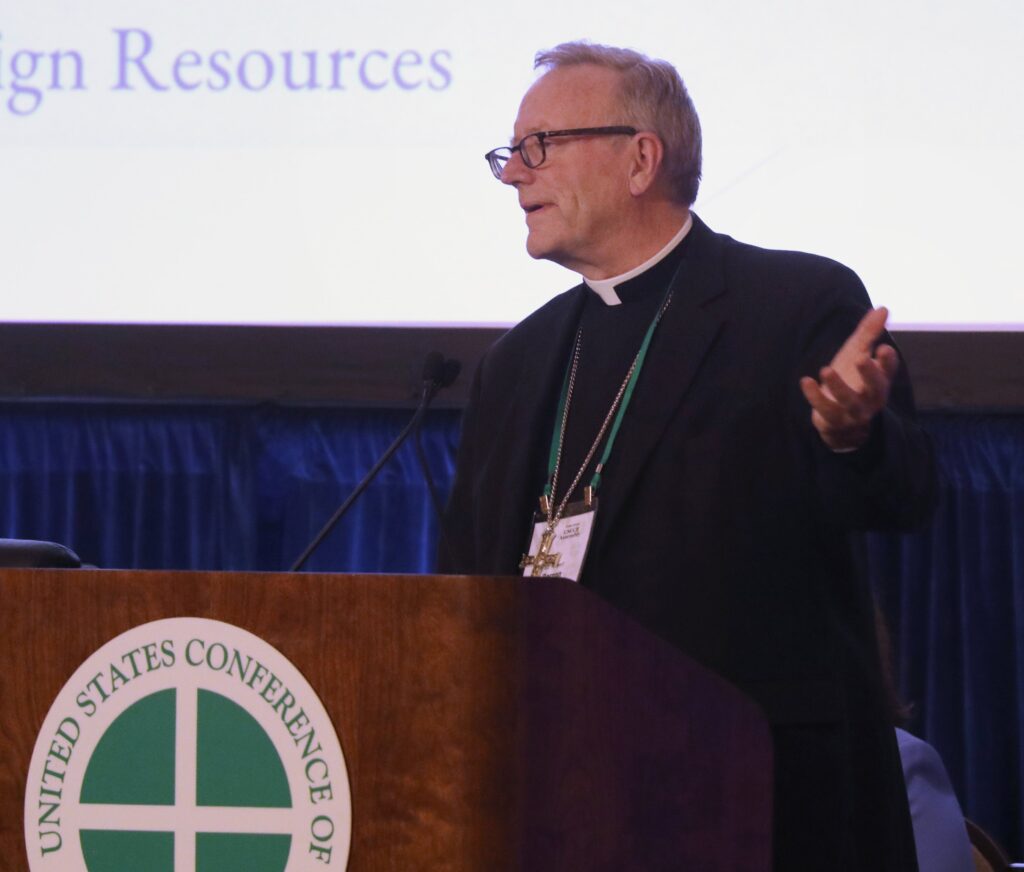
x: 955, y: 600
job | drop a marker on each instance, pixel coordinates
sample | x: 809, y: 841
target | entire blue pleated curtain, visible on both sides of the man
x: 247, y: 488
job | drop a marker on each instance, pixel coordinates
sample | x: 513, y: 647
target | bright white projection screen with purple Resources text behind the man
x: 320, y: 163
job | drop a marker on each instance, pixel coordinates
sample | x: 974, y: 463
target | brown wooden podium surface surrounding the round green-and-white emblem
x: 488, y: 724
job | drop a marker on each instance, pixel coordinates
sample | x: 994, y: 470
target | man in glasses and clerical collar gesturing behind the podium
x: 699, y: 433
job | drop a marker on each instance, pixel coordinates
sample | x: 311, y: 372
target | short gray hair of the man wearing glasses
x: 654, y: 98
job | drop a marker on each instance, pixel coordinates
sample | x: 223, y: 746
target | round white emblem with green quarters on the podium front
x: 188, y: 745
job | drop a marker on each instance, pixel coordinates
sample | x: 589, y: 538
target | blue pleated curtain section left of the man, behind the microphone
x: 220, y: 488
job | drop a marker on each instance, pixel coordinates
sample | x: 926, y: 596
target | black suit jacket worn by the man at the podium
x: 726, y: 525
